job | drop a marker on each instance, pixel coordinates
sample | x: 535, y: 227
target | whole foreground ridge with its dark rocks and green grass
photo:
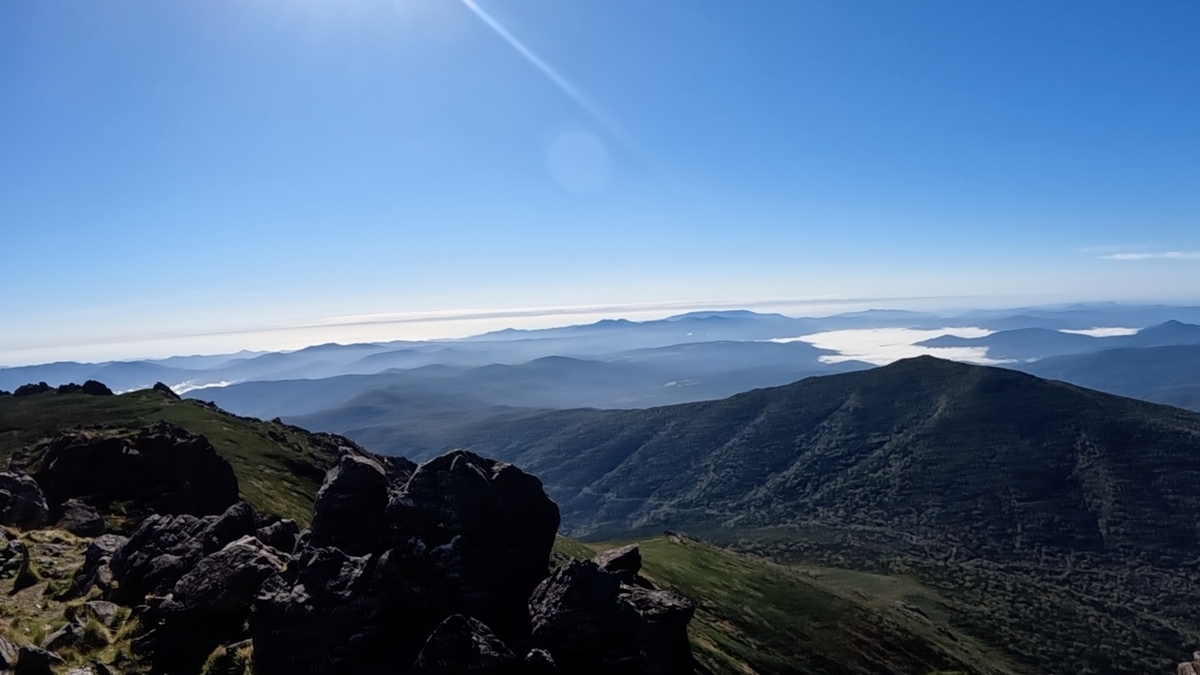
x: 143, y: 535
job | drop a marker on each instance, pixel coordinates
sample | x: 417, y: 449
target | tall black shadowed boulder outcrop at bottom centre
x: 443, y: 584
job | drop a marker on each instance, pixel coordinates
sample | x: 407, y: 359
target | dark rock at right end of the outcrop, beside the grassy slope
x: 593, y: 624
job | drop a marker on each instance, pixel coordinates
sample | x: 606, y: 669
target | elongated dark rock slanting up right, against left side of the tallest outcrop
x: 208, y: 606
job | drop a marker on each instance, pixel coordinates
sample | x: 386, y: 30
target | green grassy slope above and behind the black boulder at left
x: 278, y: 475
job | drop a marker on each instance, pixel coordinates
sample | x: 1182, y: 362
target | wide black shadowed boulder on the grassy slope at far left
x: 165, y: 470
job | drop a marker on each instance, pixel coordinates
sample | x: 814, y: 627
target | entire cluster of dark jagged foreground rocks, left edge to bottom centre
x: 435, y: 570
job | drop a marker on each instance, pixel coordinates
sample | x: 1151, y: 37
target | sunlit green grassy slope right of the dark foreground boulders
x: 755, y: 617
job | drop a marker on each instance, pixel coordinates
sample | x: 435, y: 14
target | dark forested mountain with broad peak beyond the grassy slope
x: 1058, y: 523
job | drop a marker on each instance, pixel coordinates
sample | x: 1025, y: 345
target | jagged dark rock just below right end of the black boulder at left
x: 165, y: 548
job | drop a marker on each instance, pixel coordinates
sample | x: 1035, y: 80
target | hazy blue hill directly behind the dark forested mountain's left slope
x: 627, y: 380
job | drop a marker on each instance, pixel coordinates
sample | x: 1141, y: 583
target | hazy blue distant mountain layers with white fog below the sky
x: 625, y: 365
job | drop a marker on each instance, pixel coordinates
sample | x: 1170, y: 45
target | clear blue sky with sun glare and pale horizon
x: 170, y: 170
